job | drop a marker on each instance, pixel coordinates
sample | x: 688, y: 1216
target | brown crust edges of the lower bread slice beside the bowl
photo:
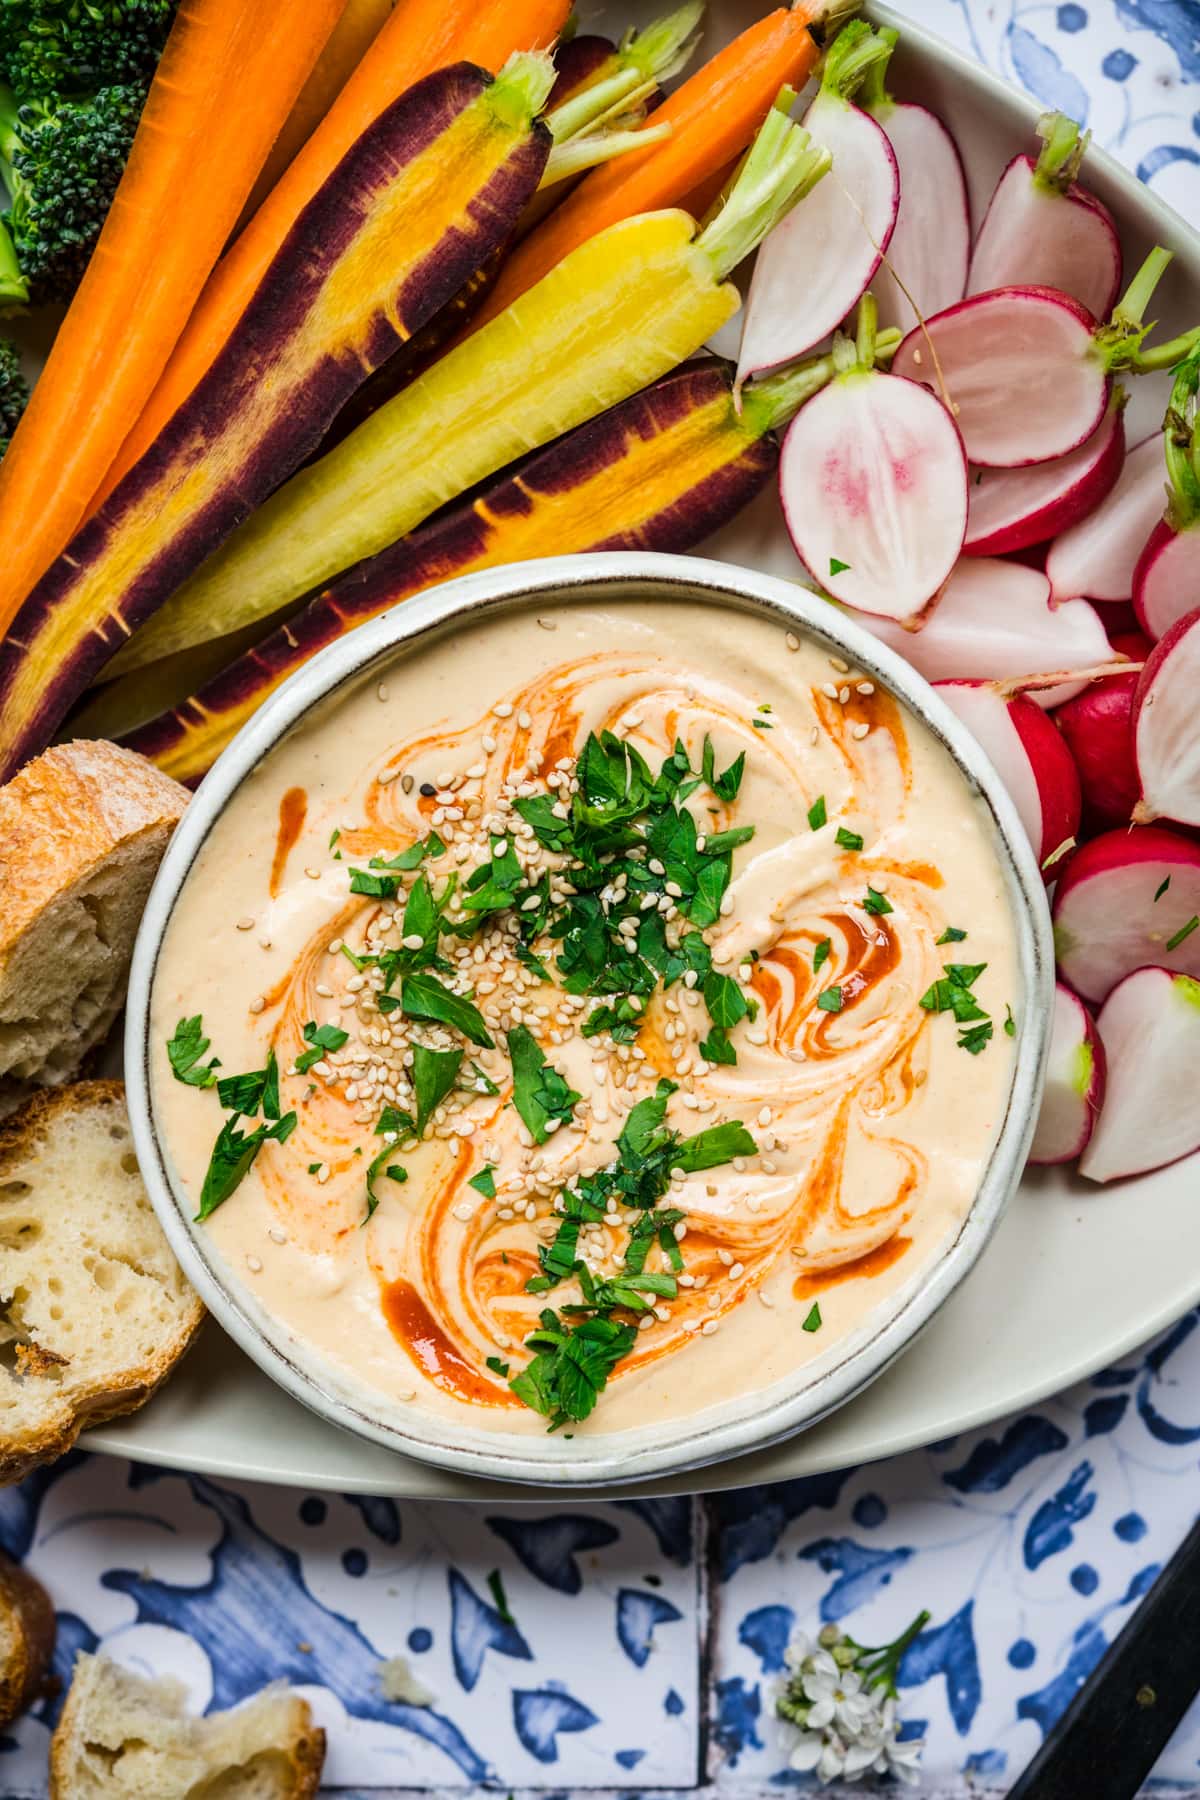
x: 96, y: 1405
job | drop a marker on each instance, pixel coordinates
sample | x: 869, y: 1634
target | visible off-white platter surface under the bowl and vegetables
x: 1075, y: 1277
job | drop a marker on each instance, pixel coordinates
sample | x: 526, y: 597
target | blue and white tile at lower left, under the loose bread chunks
x: 541, y: 1648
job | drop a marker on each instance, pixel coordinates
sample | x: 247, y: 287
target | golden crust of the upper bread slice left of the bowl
x: 64, y: 814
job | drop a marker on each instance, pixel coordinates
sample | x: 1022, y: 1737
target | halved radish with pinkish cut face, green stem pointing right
x: 1028, y: 372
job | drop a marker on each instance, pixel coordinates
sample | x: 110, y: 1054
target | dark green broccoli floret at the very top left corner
x: 80, y: 46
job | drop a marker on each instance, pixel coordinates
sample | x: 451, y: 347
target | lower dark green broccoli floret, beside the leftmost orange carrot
x: 62, y: 163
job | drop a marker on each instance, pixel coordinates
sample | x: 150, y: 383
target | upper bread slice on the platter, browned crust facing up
x: 82, y: 834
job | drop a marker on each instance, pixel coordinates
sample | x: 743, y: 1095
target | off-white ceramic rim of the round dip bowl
x: 632, y: 1455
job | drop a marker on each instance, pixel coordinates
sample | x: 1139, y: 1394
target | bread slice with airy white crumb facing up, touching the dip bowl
x: 94, y: 1309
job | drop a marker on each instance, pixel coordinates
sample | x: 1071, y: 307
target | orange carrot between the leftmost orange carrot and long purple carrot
x: 418, y: 39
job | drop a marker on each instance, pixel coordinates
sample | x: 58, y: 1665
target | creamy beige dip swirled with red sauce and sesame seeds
x: 872, y: 1120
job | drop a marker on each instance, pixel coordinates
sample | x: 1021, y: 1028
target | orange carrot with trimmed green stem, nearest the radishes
x: 713, y: 118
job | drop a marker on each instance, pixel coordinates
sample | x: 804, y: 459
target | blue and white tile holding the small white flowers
x: 1030, y: 1543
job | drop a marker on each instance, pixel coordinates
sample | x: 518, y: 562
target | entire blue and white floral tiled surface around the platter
x: 638, y: 1646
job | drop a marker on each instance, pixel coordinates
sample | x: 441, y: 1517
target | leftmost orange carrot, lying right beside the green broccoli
x: 226, y: 84
